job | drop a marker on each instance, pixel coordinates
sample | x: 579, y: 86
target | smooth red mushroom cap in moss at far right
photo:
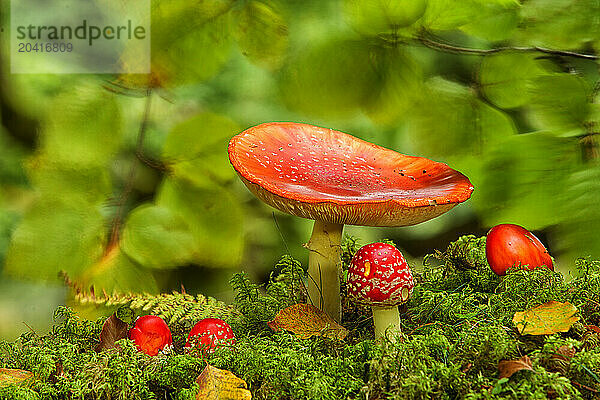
x: 508, y: 245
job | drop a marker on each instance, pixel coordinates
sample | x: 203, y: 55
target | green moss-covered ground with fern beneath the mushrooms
x: 456, y: 329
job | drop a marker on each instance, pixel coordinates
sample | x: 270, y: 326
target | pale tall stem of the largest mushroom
x: 324, y: 268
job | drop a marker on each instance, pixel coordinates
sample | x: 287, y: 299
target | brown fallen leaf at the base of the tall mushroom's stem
x: 306, y: 320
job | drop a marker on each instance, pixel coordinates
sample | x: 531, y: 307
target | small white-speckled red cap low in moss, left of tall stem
x: 209, y: 333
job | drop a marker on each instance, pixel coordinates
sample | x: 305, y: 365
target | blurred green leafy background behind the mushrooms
x: 119, y: 191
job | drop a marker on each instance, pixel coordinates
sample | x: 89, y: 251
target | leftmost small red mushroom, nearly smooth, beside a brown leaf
x: 151, y: 335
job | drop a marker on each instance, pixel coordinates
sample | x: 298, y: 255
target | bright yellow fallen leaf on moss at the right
x: 546, y: 319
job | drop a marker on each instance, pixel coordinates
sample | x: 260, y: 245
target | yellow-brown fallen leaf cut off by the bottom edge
x: 219, y: 384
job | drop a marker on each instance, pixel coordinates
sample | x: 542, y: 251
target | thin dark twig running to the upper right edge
x: 438, y: 45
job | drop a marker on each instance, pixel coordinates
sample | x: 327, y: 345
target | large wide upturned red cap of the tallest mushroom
x: 326, y: 175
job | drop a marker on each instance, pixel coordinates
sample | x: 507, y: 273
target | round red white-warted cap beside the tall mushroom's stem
x: 379, y: 276
